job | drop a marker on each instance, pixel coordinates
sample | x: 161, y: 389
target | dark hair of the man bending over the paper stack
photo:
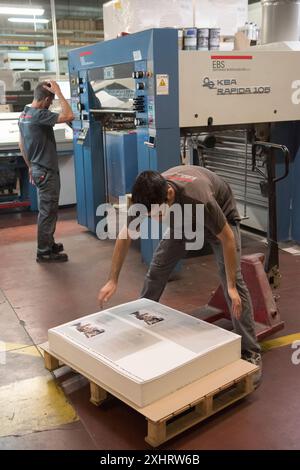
x: 149, y: 188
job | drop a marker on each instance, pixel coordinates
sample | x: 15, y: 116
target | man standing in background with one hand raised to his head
x: 38, y: 147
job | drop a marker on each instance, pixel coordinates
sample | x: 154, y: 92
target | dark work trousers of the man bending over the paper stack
x: 165, y: 258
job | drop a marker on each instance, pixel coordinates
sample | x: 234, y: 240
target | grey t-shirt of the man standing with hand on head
x: 36, y: 128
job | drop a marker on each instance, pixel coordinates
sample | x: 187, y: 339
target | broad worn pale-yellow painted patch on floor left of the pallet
x: 31, y: 405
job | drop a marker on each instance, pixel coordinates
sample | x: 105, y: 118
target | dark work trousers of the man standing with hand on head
x: 48, y: 187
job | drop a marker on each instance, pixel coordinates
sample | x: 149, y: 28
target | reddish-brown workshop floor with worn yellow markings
x: 36, y: 414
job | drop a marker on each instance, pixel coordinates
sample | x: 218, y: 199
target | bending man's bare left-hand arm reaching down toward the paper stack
x: 119, y: 255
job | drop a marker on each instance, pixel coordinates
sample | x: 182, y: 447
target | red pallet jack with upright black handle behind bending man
x: 261, y: 275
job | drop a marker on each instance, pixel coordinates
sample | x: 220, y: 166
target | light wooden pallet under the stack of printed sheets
x: 184, y: 408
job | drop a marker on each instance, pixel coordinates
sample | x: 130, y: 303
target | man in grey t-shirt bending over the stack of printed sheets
x: 193, y: 185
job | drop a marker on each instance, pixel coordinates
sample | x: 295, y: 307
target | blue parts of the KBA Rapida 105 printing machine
x: 105, y: 70
